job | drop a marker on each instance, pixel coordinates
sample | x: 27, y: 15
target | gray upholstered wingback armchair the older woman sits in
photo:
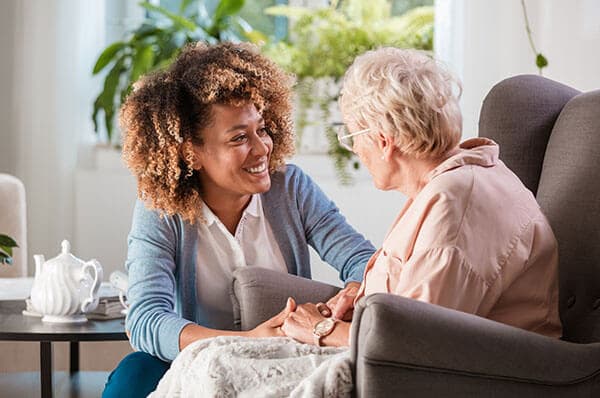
x: 549, y: 135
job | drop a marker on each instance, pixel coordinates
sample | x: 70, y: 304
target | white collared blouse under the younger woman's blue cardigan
x: 220, y: 253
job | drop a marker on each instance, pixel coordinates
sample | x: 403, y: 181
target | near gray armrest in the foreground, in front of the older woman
x: 434, y: 351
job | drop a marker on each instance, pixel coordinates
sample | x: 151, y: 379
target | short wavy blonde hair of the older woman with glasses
x: 406, y: 95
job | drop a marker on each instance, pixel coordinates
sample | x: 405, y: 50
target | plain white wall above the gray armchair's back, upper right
x: 486, y: 41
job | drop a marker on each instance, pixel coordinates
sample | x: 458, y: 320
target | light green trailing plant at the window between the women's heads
x: 323, y: 43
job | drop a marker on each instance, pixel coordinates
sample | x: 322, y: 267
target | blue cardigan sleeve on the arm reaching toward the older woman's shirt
x: 328, y: 232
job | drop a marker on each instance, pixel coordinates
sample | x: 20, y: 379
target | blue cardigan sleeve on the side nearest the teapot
x: 152, y: 322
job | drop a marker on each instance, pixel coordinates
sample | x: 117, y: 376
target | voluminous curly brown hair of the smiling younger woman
x: 162, y: 117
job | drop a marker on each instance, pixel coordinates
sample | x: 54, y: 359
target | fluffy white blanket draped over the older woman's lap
x: 267, y: 367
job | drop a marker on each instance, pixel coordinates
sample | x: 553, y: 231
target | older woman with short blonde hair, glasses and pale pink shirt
x: 470, y: 237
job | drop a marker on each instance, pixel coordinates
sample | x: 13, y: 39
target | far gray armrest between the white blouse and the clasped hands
x: 259, y: 293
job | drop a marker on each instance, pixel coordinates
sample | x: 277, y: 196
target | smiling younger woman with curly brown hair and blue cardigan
x: 207, y: 140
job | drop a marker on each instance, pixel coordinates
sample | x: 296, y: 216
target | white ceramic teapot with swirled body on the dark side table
x: 65, y: 287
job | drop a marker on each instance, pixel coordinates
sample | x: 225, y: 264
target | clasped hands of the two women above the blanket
x: 298, y: 321
